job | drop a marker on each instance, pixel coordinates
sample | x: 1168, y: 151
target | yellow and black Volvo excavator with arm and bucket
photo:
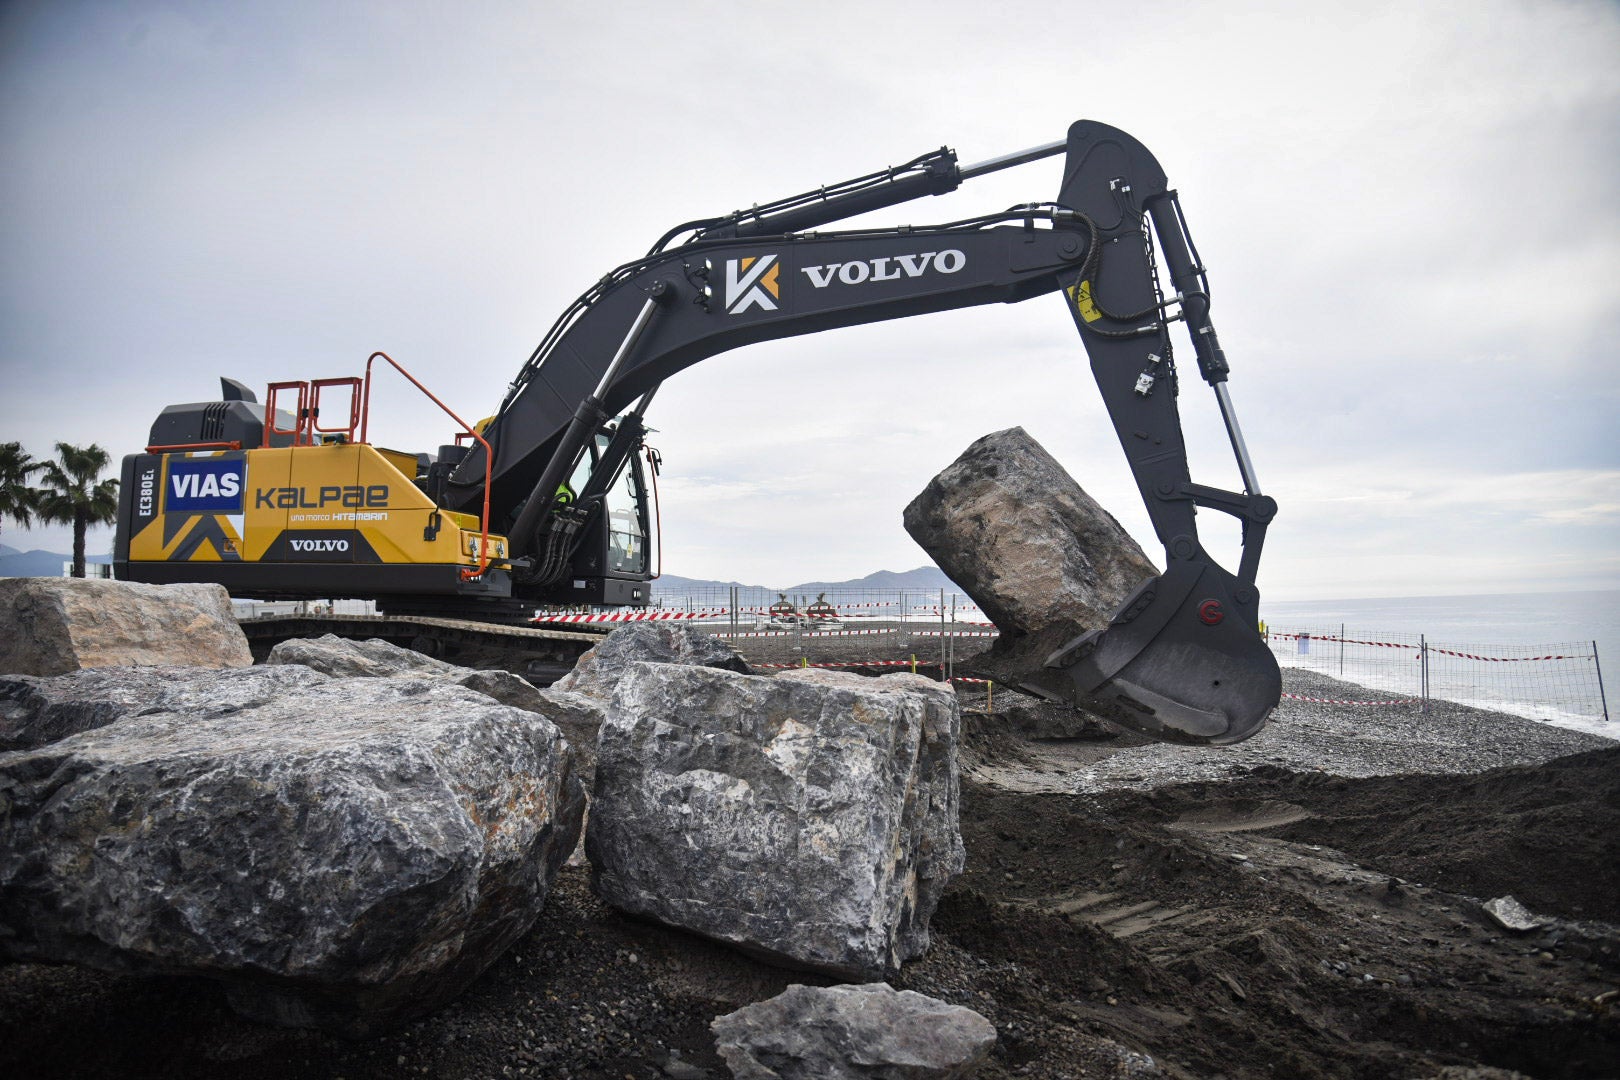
x: 548, y: 501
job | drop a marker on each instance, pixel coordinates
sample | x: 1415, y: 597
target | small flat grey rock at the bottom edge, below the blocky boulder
x: 853, y: 1032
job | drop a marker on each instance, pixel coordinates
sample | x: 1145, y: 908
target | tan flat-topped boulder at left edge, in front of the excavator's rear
x: 56, y: 626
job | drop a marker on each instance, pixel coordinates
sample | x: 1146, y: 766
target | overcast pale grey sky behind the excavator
x: 1410, y: 213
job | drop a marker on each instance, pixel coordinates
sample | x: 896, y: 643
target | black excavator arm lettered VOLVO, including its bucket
x: 1182, y: 660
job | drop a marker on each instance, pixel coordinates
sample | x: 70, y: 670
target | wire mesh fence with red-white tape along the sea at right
x: 1550, y: 682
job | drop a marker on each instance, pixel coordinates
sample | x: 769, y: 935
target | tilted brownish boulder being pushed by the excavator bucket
x: 1042, y: 559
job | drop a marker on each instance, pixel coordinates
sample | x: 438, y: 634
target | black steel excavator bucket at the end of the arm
x: 1180, y: 661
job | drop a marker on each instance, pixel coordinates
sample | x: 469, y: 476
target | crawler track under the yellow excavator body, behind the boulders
x: 539, y: 655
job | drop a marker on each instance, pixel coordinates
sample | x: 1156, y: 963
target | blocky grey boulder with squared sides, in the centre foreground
x: 809, y: 819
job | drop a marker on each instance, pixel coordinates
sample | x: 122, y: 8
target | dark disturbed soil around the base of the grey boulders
x: 1279, y: 924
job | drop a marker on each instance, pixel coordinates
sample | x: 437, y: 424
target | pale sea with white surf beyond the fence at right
x: 1548, y: 657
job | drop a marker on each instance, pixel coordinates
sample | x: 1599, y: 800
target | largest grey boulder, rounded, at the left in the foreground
x: 343, y: 856
